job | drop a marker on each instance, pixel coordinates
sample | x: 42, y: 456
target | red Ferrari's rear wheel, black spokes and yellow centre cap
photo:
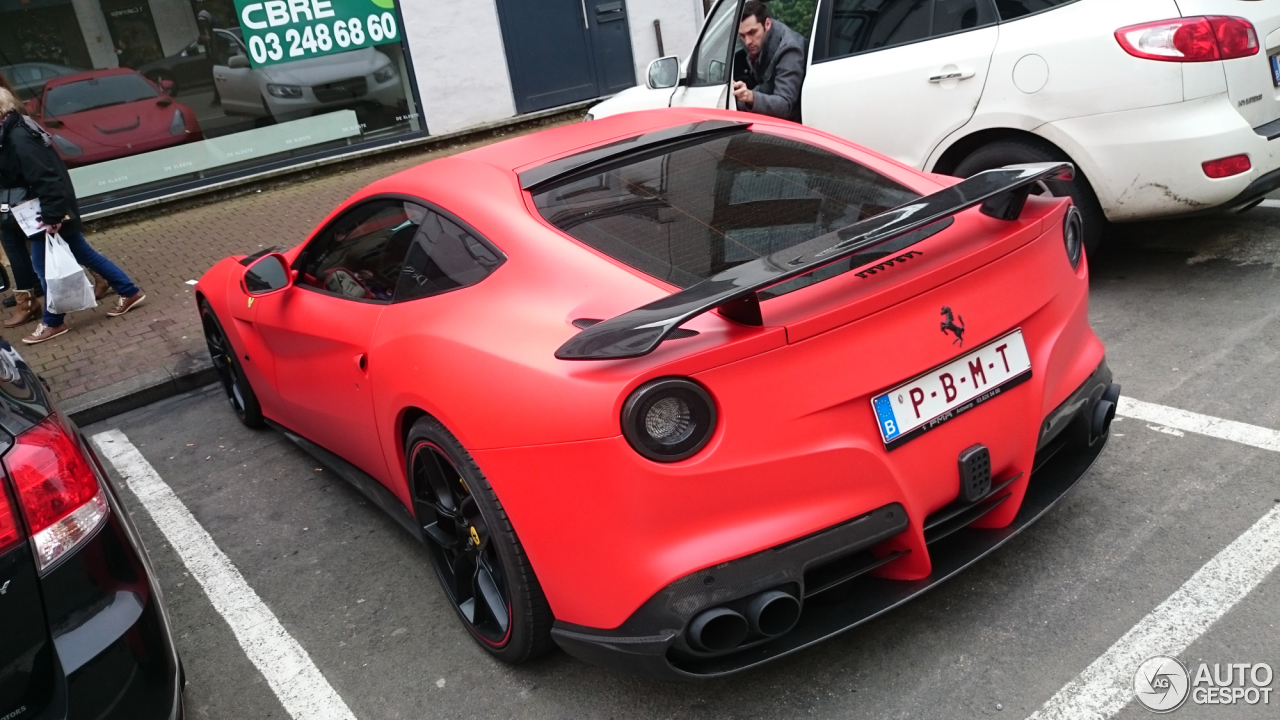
x: 478, y: 558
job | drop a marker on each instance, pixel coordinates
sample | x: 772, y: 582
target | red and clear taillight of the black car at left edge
x: 57, y: 490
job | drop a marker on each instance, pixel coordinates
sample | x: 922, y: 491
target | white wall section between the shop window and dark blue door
x: 459, y: 62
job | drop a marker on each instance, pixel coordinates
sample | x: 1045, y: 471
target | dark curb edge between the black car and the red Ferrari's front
x: 139, y: 391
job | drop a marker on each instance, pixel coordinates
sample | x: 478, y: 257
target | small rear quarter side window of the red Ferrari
x: 445, y: 257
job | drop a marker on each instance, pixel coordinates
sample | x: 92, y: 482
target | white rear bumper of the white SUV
x: 1148, y: 163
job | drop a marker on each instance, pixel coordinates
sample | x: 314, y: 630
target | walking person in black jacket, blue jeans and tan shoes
x: 29, y: 162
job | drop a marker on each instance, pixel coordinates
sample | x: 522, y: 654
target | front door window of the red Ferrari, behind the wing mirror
x: 360, y: 254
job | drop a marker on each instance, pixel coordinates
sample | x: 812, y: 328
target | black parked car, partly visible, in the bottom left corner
x: 84, y: 632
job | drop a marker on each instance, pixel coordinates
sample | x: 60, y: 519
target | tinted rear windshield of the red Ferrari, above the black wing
x: 689, y: 213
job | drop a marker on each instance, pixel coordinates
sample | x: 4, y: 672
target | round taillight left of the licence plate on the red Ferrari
x: 669, y: 420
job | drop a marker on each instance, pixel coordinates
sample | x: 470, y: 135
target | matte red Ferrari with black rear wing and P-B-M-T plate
x: 682, y: 391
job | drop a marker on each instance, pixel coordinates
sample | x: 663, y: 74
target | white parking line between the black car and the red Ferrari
x: 289, y: 669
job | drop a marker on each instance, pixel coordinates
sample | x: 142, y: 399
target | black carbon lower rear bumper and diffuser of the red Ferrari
x: 833, y: 571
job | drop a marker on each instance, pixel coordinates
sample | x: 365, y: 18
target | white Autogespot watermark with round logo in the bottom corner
x: 1163, y: 685
